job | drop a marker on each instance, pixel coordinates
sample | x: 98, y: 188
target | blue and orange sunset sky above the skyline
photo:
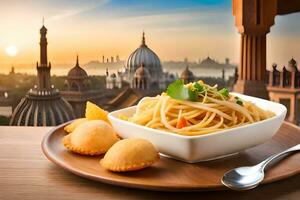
x: 174, y: 29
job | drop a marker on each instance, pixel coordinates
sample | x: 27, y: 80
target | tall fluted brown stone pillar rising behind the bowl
x: 253, y: 18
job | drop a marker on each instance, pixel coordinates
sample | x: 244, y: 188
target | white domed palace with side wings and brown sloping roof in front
x: 144, y: 75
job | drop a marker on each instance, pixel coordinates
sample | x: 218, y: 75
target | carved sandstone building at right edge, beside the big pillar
x: 284, y: 87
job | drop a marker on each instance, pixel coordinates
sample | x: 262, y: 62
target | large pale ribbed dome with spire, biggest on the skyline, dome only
x: 144, y: 55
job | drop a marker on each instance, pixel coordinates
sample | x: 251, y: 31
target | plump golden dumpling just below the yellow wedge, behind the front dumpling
x: 92, y: 137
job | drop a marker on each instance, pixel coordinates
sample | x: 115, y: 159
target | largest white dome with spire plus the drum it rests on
x: 143, y: 59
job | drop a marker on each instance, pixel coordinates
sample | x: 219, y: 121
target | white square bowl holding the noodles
x: 193, y: 149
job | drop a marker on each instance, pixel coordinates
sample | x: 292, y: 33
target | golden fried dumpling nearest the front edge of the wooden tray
x: 130, y: 155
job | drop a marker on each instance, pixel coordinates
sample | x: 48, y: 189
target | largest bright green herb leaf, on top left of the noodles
x: 177, y: 90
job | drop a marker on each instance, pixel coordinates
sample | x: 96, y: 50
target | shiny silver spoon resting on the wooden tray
x: 245, y: 178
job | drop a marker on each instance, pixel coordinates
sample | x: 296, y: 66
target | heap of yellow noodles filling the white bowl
x: 213, y: 110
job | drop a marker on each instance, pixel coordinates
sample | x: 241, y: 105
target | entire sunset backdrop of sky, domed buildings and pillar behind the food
x: 57, y: 54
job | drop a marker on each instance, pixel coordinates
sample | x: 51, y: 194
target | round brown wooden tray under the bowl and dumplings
x: 173, y: 175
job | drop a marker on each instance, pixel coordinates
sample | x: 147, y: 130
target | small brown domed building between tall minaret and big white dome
x: 77, y: 90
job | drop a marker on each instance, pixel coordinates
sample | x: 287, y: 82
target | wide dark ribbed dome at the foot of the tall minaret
x: 42, y: 108
